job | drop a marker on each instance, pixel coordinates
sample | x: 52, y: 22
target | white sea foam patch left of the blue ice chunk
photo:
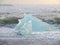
x: 4, y: 31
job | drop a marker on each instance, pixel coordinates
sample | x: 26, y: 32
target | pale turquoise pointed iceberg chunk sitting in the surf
x: 30, y: 24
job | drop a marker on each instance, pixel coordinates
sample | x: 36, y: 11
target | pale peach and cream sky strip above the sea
x: 30, y: 2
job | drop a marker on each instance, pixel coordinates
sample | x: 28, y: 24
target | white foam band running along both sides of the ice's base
x: 45, y: 34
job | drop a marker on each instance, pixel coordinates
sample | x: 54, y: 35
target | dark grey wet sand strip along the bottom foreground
x: 17, y: 41
